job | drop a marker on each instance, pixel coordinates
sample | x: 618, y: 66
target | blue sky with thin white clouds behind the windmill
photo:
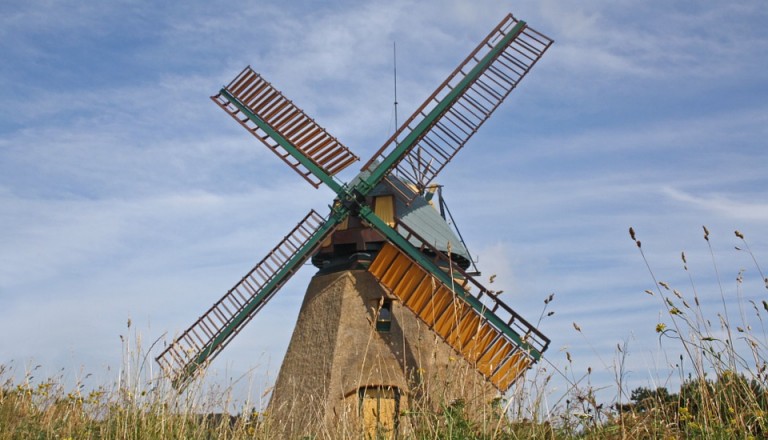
x: 126, y: 194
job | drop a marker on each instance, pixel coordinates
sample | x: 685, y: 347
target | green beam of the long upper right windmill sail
x: 414, y: 136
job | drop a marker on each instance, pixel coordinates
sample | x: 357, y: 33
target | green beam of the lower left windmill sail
x: 337, y: 215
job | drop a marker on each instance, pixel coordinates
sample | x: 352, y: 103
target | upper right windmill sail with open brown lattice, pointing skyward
x: 453, y: 113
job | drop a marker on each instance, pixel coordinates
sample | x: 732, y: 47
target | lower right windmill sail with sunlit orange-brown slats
x: 478, y: 325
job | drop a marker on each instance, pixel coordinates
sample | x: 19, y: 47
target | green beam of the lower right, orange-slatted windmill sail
x: 400, y: 241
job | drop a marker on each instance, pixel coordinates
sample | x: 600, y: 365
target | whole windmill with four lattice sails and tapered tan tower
x: 391, y: 275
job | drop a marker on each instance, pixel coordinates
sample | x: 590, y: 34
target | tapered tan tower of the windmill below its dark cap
x: 361, y: 363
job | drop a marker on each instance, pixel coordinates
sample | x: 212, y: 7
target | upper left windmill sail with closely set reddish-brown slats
x: 283, y: 127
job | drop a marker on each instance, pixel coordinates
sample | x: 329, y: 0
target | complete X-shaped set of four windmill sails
x: 478, y: 325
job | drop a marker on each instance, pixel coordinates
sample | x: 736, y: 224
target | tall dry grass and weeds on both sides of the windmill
x: 723, y: 392
